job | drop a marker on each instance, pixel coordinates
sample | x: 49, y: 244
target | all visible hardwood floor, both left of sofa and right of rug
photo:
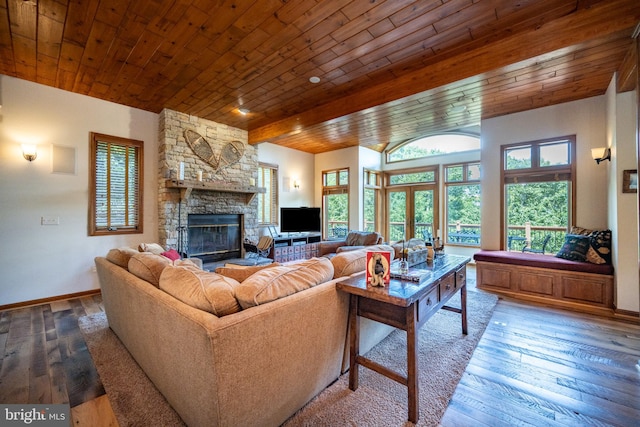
x: 533, y: 366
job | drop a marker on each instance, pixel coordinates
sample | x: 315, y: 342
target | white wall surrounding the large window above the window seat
x: 585, y: 119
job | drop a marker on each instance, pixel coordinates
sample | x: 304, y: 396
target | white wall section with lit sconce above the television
x: 292, y: 165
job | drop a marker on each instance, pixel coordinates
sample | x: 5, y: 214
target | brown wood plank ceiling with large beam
x: 389, y: 70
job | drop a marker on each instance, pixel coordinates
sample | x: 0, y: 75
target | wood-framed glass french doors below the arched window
x: 412, y: 211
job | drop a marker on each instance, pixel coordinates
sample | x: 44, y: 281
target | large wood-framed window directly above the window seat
x: 538, y: 192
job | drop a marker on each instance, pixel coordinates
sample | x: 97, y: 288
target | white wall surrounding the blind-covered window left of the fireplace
x: 38, y: 261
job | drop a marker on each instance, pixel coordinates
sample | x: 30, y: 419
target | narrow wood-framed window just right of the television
x: 335, y: 203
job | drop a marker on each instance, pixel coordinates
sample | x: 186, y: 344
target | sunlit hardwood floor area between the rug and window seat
x: 547, y: 367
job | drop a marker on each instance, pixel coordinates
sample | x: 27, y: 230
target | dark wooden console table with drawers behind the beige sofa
x: 405, y: 305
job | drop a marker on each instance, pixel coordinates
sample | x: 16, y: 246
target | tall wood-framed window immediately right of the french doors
x: 462, y: 193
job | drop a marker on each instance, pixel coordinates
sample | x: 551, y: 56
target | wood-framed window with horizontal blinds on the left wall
x: 115, y: 185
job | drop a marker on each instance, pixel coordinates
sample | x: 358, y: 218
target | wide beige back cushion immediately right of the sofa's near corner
x: 270, y: 284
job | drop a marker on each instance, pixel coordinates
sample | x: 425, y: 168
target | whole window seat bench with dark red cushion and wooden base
x: 546, y: 279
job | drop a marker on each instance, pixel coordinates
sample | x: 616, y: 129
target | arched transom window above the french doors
x: 434, y: 145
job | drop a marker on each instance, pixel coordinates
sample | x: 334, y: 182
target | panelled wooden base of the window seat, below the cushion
x: 585, y: 292
